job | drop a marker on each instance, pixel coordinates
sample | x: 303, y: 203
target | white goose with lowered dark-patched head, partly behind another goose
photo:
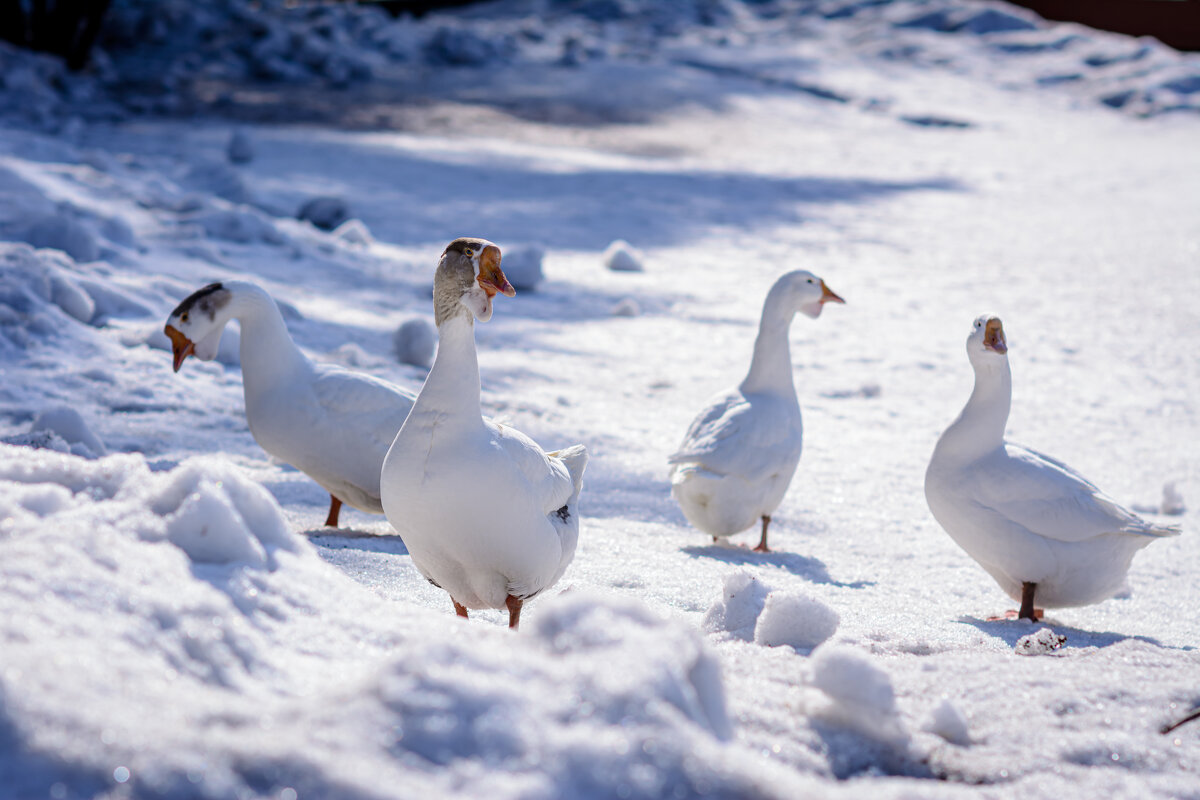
x: 332, y: 424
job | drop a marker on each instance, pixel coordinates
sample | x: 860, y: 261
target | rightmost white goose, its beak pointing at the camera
x: 1034, y: 524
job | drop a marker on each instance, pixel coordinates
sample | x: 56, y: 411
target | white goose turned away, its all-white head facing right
x: 740, y: 455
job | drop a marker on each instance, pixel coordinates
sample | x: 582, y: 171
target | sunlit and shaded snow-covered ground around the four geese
x: 172, y: 629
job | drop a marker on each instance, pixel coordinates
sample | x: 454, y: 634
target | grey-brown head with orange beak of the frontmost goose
x: 470, y: 274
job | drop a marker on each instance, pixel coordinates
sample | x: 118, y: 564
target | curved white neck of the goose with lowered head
x: 268, y: 353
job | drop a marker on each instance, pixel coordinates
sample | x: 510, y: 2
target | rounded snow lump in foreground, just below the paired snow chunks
x: 857, y: 695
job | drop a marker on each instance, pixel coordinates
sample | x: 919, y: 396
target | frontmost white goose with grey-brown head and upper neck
x: 485, y: 513
